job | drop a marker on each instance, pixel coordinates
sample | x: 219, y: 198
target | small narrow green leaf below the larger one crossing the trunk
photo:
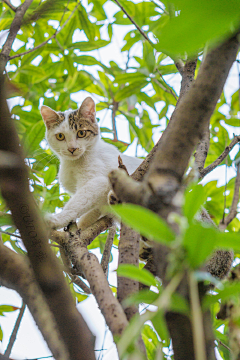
x: 132, y: 272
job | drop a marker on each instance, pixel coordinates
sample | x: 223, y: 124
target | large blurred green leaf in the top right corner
x: 181, y: 34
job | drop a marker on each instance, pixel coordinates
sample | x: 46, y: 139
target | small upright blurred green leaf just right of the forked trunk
x: 194, y: 198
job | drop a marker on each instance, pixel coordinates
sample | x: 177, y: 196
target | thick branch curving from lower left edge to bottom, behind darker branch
x: 16, y: 273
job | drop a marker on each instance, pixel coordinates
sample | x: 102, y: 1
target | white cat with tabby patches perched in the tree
x: 85, y: 162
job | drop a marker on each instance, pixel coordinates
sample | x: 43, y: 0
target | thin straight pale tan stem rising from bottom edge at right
x: 197, y: 319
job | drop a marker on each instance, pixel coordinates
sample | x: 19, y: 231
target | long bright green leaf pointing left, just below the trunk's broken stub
x: 145, y: 222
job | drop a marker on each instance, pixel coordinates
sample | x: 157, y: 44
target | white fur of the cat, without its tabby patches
x: 84, y: 174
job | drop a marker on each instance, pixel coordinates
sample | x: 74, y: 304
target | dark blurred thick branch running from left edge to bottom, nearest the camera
x: 15, y: 190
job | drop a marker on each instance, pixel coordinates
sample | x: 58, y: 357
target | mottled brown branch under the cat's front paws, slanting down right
x: 75, y: 244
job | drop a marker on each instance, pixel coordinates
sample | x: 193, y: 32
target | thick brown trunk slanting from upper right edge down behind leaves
x: 169, y: 164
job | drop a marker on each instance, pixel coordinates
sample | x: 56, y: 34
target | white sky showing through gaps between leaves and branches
x: 29, y: 343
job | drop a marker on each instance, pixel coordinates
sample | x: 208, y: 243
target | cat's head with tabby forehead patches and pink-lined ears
x: 72, y: 133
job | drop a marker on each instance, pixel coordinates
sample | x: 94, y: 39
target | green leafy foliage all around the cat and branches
x: 72, y: 63
